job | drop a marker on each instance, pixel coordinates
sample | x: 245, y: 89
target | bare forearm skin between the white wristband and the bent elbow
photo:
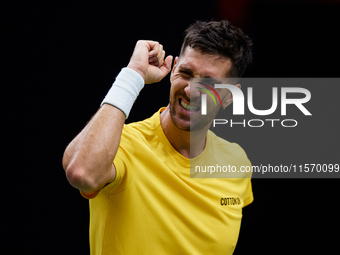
x: 88, y: 158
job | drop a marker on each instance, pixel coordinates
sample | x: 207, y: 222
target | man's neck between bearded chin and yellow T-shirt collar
x: 188, y: 144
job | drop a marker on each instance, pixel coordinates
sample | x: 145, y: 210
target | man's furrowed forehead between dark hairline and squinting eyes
x: 204, y: 65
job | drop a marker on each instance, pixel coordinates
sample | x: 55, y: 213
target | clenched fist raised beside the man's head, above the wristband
x: 148, y: 60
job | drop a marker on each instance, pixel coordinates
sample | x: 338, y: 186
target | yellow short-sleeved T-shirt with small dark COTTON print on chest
x: 154, y: 206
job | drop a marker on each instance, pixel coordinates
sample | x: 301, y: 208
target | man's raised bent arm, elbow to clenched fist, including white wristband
x: 88, y: 159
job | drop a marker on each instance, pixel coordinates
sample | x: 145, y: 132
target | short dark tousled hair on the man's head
x: 220, y: 38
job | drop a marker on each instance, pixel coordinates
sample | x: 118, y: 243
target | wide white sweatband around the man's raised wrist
x: 124, y: 90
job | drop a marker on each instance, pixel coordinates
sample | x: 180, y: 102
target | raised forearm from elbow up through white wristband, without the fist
x: 88, y: 159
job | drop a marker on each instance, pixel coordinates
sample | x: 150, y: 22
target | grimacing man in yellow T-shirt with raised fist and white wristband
x: 145, y: 201
